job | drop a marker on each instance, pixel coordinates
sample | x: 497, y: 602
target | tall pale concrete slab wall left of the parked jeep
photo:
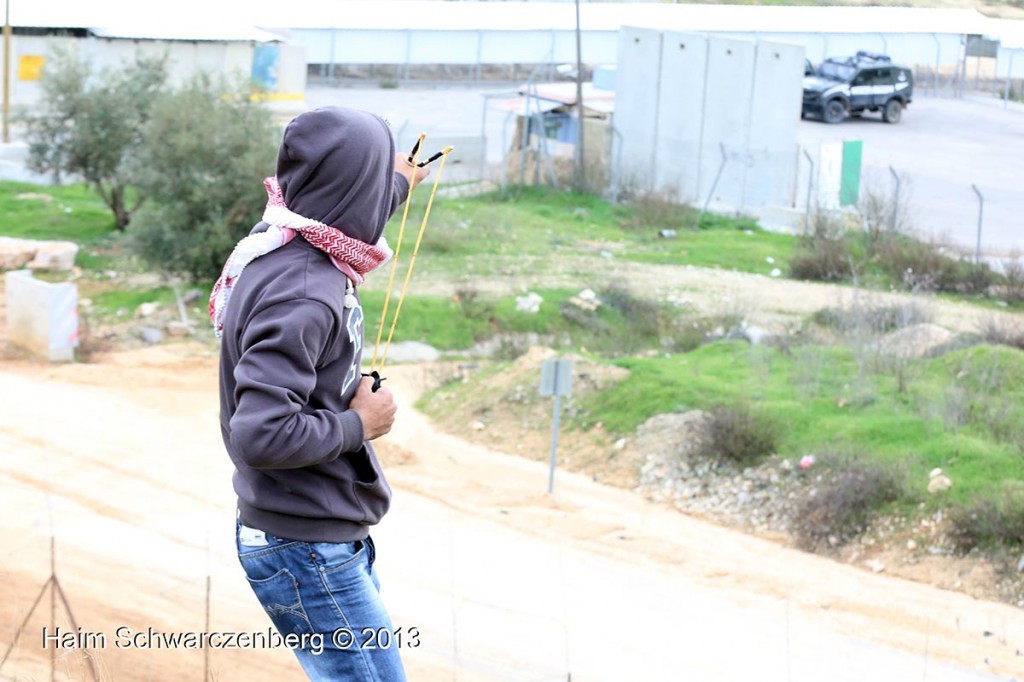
x: 686, y: 103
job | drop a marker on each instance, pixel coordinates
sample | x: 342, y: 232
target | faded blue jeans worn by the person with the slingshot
x: 324, y: 599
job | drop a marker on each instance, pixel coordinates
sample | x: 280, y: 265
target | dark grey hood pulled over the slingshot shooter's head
x: 336, y: 165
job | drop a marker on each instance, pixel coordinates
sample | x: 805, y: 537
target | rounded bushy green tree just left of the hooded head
x: 205, y: 152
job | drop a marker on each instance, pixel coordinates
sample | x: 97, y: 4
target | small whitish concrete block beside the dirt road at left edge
x: 42, y: 318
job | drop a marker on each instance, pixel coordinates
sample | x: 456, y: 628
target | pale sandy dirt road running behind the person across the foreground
x: 121, y: 462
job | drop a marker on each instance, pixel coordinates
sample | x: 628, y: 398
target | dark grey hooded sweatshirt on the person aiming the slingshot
x: 291, y: 352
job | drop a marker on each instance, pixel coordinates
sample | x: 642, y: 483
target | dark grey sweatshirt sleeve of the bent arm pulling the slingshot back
x: 273, y: 427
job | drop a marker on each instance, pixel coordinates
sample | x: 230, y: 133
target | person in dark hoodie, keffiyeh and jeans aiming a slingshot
x: 296, y: 415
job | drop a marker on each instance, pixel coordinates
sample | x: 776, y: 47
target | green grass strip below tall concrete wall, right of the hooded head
x: 484, y: 235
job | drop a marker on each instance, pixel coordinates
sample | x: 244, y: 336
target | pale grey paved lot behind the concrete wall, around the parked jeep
x: 942, y: 148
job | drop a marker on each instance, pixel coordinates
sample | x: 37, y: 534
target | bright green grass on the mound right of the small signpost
x: 891, y: 428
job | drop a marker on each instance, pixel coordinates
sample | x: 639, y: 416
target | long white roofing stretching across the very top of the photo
x: 223, y: 20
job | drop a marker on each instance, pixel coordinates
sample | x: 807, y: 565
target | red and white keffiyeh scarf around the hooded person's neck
x: 353, y: 258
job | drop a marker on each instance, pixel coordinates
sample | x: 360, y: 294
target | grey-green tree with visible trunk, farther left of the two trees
x: 91, y: 125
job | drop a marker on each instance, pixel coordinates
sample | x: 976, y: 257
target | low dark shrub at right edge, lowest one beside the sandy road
x: 990, y: 521
